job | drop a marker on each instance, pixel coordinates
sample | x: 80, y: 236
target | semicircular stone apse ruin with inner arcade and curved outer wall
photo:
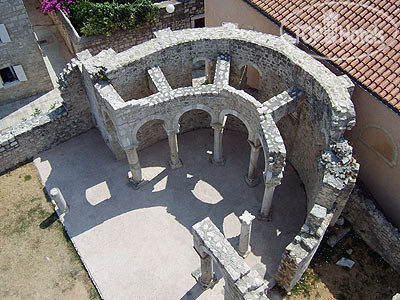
x: 300, y: 114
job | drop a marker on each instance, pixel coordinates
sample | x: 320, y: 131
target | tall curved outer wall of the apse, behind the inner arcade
x: 319, y: 121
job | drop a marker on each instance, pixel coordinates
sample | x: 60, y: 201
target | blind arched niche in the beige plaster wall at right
x: 382, y: 143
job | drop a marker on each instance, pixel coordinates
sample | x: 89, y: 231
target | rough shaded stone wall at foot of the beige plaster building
x: 372, y: 226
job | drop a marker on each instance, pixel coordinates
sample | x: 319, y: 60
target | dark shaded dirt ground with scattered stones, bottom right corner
x: 370, y: 278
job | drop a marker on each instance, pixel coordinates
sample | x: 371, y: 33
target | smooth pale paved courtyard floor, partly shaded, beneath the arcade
x: 137, y: 244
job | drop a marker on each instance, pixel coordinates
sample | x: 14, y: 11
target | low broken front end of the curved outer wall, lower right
x: 300, y: 251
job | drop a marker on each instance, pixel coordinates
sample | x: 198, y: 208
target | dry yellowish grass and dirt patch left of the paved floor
x: 36, y: 263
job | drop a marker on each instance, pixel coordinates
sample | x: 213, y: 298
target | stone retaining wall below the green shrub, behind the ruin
x: 125, y: 39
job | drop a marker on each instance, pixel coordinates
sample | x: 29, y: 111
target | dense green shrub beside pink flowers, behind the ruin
x: 104, y: 17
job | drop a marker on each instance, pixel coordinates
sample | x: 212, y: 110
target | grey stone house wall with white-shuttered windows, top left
x: 21, y: 50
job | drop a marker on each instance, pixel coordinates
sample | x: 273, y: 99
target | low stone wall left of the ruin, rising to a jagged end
x: 24, y: 140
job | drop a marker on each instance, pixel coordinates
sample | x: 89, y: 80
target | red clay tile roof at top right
x: 360, y: 37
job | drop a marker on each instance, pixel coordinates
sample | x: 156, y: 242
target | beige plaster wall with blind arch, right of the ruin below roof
x: 376, y: 141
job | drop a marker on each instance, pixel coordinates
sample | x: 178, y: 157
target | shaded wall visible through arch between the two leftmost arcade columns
x: 150, y: 133
